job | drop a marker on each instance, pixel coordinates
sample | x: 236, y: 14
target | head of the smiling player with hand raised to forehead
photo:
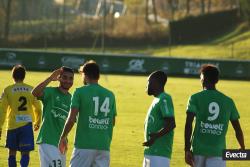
x: 66, y: 77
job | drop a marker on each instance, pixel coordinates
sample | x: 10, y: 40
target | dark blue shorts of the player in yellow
x: 21, y: 139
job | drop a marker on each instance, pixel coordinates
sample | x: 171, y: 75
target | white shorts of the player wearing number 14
x: 89, y: 157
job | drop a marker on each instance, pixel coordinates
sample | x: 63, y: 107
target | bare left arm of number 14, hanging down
x: 67, y: 128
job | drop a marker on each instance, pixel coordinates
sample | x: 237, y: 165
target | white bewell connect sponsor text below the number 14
x: 102, y: 124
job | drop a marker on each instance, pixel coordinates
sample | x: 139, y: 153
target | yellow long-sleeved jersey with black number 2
x: 19, y: 106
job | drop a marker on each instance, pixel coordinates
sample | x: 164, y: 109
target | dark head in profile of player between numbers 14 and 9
x: 156, y: 82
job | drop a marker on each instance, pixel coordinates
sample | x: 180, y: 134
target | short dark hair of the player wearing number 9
x: 210, y: 73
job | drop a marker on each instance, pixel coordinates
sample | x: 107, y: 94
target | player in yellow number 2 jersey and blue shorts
x: 19, y: 108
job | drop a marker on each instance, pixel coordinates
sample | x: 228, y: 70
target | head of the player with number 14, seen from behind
x: 90, y: 71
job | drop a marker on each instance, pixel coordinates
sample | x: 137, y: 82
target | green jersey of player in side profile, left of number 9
x: 161, y: 107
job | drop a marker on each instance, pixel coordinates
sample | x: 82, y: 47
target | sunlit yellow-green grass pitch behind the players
x: 132, y: 105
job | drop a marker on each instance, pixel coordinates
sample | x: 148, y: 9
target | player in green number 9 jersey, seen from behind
x: 213, y: 111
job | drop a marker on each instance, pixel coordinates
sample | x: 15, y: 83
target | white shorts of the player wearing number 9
x: 201, y: 161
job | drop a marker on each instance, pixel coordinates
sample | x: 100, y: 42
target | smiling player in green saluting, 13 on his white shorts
x: 56, y: 105
